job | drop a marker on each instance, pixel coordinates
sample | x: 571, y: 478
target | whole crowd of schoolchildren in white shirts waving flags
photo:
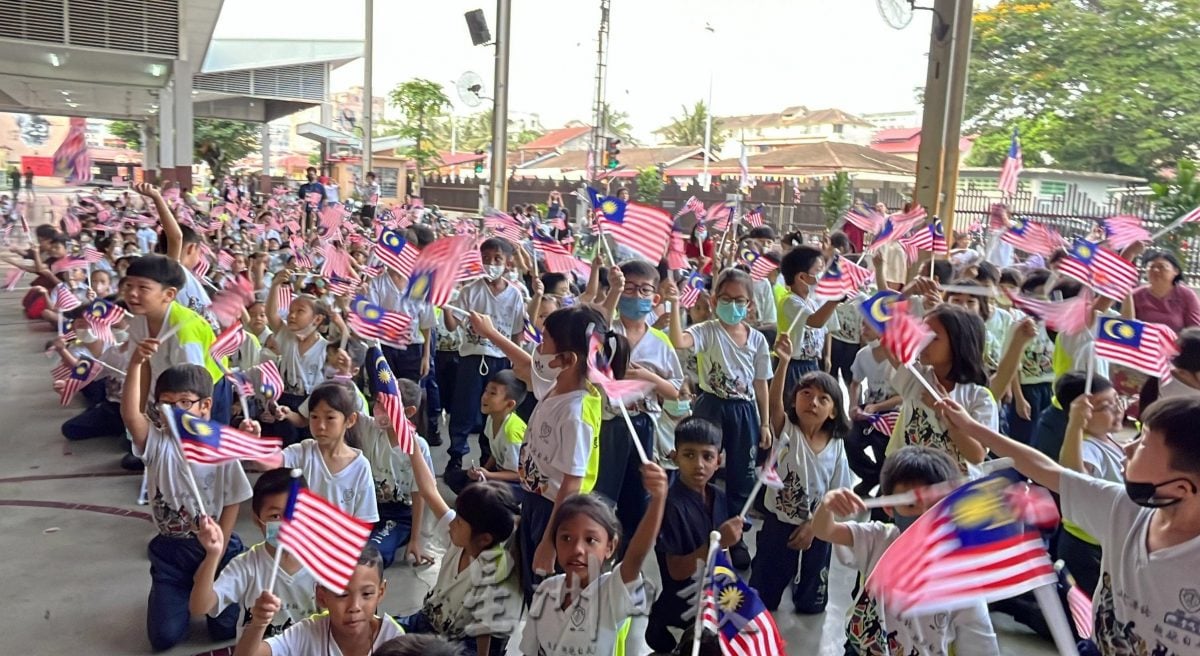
x: 752, y: 376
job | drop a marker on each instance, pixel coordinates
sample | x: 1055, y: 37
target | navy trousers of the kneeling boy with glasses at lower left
x: 173, y: 564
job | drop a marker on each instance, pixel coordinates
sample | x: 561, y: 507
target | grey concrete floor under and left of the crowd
x: 76, y: 573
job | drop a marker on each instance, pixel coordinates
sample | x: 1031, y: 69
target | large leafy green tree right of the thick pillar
x: 1112, y: 82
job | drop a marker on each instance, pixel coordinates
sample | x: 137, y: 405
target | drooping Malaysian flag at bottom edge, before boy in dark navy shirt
x: 737, y: 616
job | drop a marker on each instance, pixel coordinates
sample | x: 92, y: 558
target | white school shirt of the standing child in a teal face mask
x: 727, y: 370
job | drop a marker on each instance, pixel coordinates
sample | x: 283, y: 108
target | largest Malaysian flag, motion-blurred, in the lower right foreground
x: 973, y: 546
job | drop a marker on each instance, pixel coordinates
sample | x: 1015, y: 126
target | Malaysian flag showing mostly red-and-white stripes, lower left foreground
x: 323, y: 538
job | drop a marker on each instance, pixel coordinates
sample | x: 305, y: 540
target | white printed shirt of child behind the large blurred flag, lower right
x: 969, y: 629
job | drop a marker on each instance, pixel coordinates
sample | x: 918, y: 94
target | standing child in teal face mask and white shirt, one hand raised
x: 735, y: 366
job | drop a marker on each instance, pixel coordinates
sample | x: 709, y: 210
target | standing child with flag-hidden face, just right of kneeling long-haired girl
x: 871, y: 394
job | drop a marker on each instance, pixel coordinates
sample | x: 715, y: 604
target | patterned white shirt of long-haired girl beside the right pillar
x: 919, y: 424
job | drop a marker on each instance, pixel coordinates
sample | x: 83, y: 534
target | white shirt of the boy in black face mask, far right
x: 1145, y: 603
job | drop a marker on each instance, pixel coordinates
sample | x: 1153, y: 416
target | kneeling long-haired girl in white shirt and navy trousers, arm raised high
x: 813, y: 464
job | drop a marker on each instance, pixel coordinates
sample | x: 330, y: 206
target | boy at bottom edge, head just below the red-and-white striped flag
x: 349, y: 625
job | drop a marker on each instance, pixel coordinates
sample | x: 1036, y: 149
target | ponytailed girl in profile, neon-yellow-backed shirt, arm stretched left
x: 557, y: 456
